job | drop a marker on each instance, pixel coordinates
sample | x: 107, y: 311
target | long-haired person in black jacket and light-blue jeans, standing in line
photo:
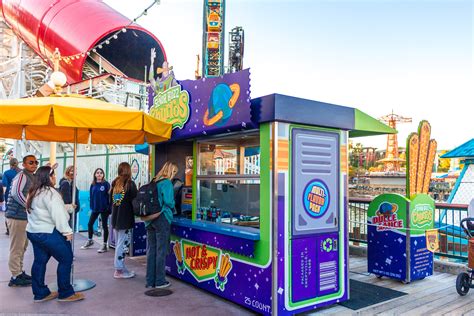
x: 123, y: 191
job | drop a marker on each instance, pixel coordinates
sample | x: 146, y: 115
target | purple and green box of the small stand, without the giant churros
x: 396, y: 238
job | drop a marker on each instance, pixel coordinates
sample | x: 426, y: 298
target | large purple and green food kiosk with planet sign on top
x: 264, y: 222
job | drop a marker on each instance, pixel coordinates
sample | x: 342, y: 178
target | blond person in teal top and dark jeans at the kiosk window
x: 158, y: 228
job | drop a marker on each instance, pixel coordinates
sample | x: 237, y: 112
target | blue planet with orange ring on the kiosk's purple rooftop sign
x: 219, y: 108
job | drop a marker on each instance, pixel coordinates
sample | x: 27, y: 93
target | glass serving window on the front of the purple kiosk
x: 228, y: 180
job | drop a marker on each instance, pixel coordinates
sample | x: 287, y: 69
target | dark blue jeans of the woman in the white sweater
x: 46, y: 246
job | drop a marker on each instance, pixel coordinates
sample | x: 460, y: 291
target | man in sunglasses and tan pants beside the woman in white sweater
x: 17, y: 220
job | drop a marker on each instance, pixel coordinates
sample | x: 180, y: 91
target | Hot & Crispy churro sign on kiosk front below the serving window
x: 203, y: 262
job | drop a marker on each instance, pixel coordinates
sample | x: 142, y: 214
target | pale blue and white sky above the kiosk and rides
x: 412, y: 57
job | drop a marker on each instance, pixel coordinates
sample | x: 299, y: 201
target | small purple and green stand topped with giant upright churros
x: 401, y: 238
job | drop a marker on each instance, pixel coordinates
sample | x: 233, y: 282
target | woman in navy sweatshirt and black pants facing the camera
x: 99, y: 204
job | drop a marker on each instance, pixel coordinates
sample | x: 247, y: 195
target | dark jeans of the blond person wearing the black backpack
x: 157, y: 247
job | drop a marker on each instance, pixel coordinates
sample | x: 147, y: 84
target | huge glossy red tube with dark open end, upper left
x: 76, y: 26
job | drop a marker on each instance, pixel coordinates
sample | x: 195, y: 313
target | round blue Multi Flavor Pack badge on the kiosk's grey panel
x: 316, y: 198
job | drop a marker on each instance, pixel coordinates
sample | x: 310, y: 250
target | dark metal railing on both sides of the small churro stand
x: 452, y: 240
